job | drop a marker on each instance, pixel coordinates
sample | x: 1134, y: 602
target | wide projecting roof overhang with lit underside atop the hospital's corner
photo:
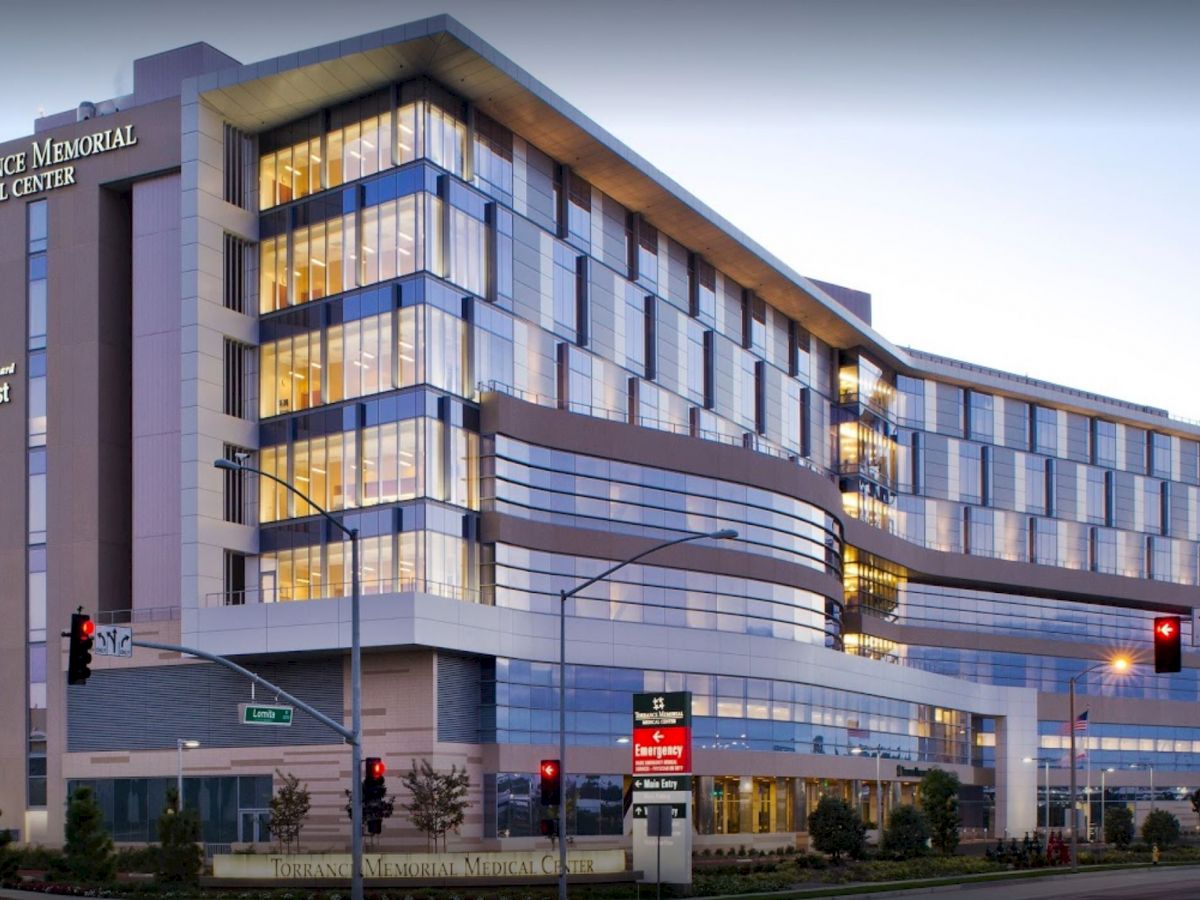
x: 260, y: 97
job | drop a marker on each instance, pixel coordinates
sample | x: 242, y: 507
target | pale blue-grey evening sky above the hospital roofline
x: 1013, y: 183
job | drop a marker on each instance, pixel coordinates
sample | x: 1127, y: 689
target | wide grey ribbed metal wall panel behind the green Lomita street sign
x: 151, y: 709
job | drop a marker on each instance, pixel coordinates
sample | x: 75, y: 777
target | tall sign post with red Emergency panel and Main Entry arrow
x: 663, y: 787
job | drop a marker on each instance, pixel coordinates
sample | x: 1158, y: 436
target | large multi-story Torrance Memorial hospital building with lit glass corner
x: 405, y: 278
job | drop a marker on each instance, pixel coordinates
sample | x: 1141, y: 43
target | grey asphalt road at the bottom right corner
x: 1161, y: 884
